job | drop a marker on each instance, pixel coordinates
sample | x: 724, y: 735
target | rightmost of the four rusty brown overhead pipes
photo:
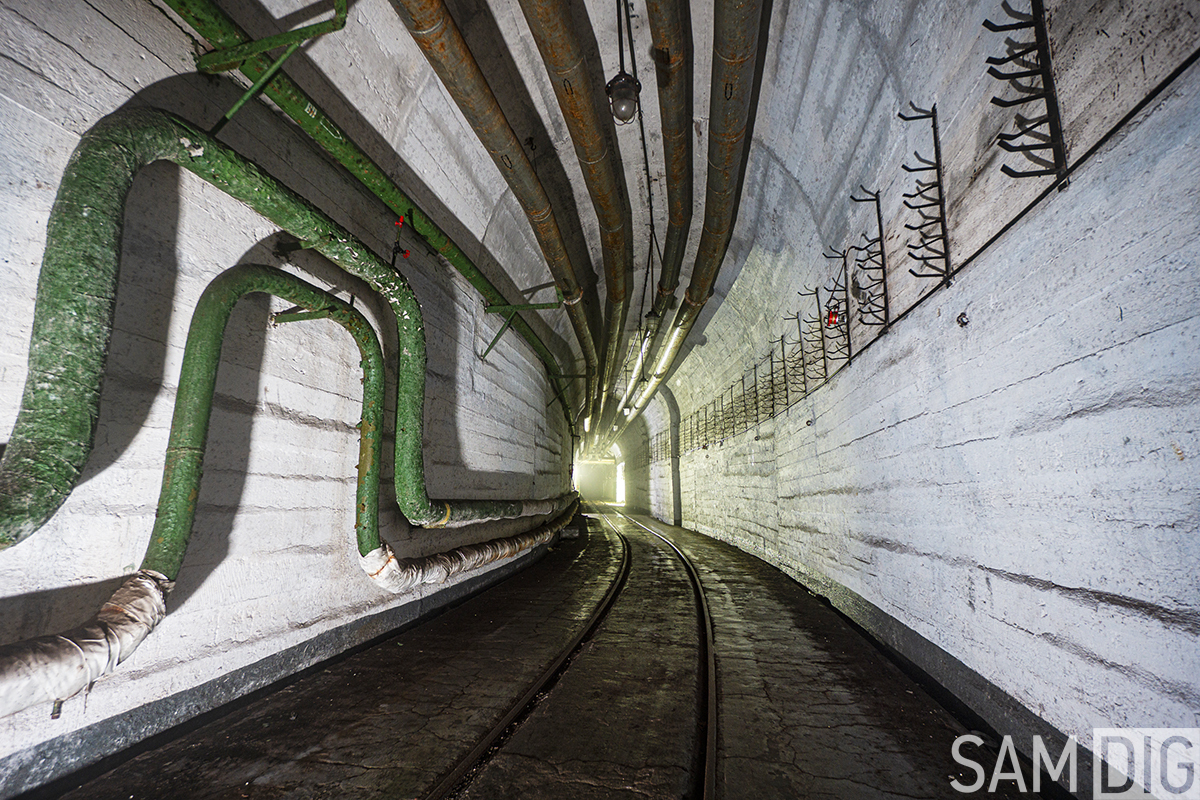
x: 737, y: 27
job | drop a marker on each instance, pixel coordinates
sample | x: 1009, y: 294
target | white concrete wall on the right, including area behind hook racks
x: 1021, y: 492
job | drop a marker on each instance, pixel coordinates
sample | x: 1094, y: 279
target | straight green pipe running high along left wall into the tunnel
x: 221, y: 32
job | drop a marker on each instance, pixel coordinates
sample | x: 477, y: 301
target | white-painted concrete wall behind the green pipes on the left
x: 273, y: 563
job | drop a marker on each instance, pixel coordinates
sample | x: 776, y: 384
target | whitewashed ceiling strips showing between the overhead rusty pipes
x: 374, y: 80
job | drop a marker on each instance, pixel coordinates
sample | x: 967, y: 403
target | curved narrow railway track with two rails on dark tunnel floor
x: 483, y: 773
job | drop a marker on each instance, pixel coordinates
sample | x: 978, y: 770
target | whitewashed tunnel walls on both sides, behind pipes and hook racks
x: 1015, y: 497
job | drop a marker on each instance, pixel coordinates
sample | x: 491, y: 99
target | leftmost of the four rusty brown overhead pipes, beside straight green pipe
x: 440, y: 39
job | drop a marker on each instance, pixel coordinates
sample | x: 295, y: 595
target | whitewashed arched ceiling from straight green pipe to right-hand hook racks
x: 833, y: 76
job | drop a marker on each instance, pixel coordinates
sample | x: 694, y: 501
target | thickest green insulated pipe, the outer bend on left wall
x: 76, y: 299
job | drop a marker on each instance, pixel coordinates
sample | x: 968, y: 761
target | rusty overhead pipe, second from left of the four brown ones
x: 554, y: 32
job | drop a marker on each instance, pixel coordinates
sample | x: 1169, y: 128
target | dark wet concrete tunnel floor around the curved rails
x: 807, y: 707
